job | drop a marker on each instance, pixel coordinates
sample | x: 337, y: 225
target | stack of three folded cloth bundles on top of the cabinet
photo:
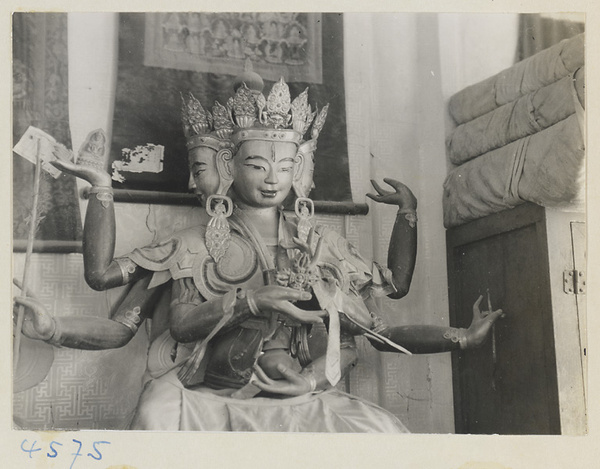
x: 519, y: 137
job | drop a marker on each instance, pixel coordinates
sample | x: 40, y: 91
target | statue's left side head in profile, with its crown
x: 206, y: 138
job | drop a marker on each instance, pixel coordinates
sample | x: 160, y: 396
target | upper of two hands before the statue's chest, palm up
x: 279, y: 299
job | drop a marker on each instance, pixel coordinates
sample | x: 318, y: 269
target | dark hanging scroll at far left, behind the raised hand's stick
x: 40, y: 99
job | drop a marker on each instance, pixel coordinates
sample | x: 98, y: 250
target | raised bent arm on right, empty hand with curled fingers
x: 402, y: 251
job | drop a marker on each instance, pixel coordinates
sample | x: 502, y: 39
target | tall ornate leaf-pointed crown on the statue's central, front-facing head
x: 275, y: 118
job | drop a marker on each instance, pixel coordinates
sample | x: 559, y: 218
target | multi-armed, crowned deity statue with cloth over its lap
x: 259, y: 310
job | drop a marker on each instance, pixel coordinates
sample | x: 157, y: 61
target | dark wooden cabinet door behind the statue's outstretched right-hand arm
x: 509, y: 386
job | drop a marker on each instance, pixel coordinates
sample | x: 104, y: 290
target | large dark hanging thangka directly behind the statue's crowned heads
x: 148, y: 146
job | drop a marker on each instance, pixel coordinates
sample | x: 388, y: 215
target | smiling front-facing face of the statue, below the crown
x: 263, y: 172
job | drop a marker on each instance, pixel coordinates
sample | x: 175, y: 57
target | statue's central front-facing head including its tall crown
x: 267, y: 137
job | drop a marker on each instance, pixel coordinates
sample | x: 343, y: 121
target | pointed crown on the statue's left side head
x: 201, y: 128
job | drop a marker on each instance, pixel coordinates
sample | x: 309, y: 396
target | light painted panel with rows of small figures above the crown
x: 279, y: 44
